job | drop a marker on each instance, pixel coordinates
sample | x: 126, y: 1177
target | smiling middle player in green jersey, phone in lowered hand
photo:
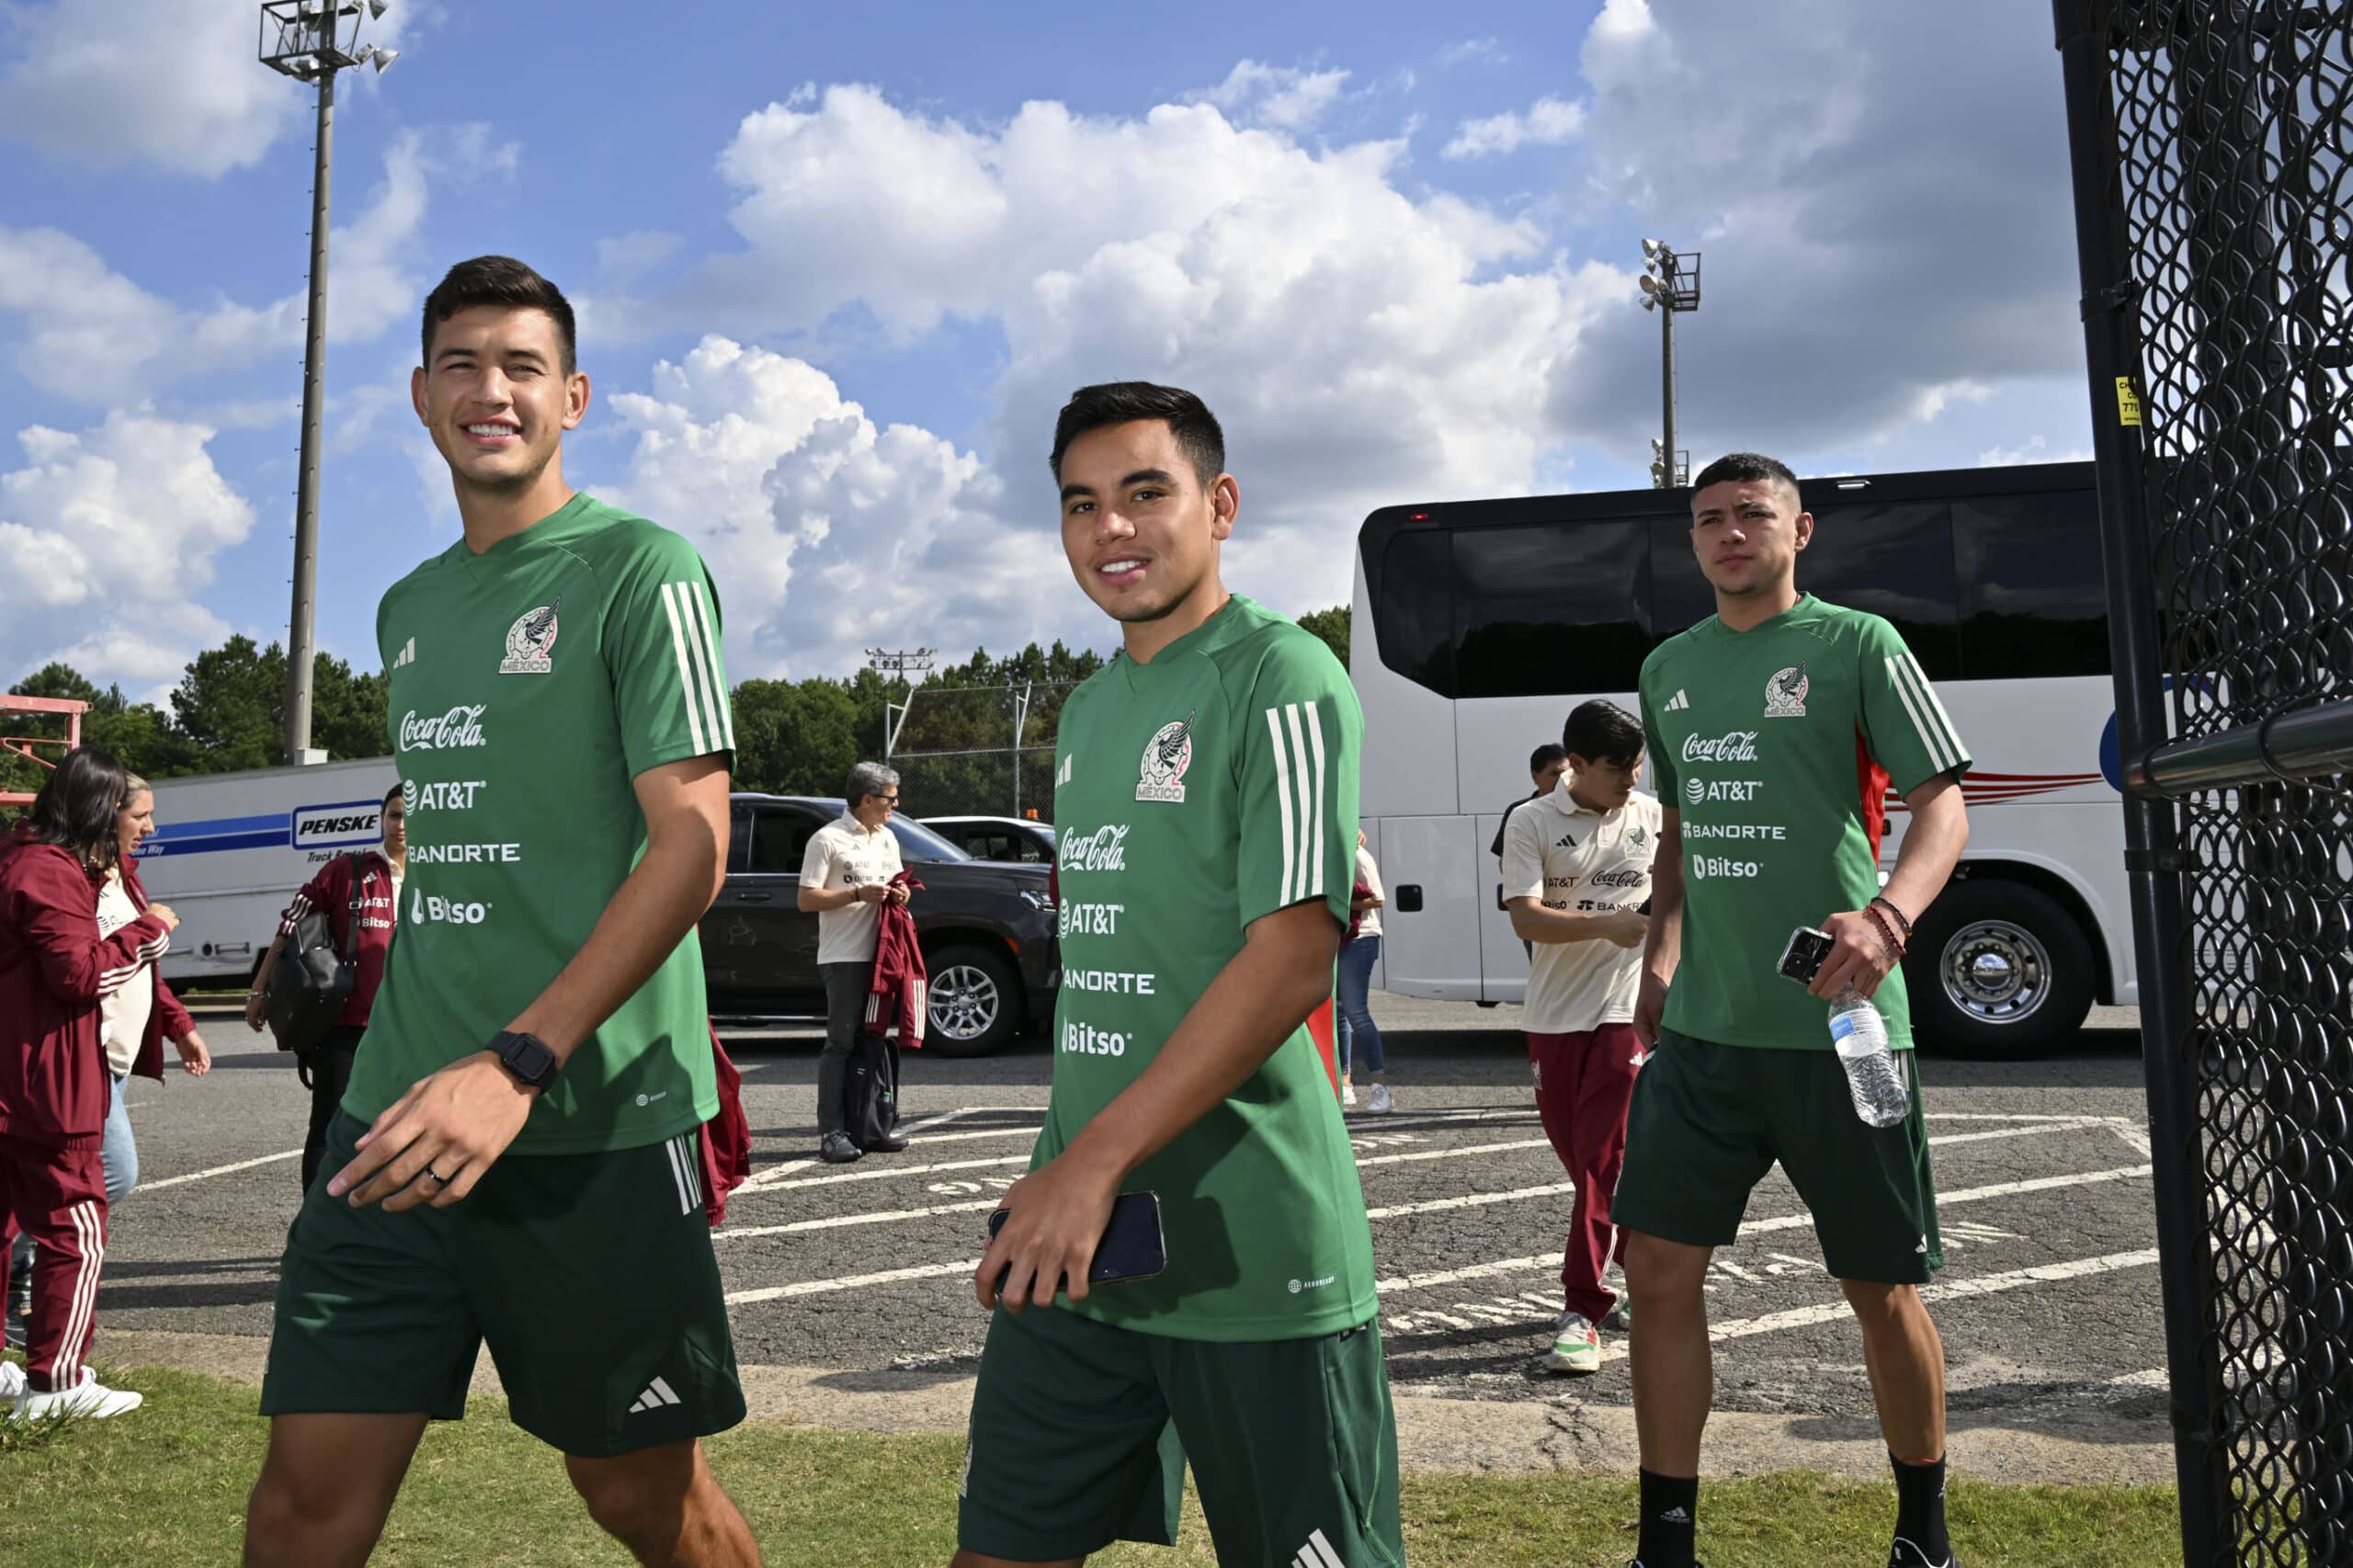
x: 1206, y: 809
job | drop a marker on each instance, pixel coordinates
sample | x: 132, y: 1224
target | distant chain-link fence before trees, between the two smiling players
x: 980, y: 750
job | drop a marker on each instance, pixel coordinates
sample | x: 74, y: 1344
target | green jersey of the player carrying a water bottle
x: 1778, y: 748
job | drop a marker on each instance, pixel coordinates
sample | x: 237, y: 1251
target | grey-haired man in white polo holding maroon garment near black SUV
x: 846, y: 882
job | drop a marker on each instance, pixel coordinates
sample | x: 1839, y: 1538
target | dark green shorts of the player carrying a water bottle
x: 1709, y: 1122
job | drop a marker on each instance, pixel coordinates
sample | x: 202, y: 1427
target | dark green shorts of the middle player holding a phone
x: 1081, y: 1437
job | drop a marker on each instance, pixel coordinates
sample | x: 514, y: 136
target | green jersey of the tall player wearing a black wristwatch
x: 528, y: 689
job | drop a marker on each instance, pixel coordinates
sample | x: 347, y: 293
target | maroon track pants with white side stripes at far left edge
x: 60, y: 1200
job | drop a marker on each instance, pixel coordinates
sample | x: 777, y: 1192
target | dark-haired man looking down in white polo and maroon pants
x: 1575, y: 879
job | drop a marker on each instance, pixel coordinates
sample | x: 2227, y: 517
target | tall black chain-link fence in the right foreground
x: 2215, y: 218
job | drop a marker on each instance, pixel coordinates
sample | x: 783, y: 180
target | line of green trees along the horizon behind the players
x: 794, y: 738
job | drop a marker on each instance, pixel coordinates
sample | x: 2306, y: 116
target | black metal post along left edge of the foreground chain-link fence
x: 2152, y: 839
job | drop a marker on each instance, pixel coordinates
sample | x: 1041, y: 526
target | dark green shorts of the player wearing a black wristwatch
x: 589, y: 1275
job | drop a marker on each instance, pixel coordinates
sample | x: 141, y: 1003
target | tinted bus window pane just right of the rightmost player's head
x: 1898, y: 564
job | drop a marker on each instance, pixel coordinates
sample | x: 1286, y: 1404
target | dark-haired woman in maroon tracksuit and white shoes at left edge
x: 55, y: 1084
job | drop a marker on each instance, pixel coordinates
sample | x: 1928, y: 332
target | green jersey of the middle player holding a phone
x: 1197, y: 795
